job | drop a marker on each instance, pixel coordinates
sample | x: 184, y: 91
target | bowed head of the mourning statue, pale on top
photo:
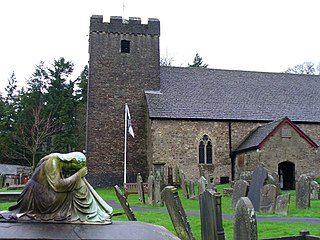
x: 73, y: 160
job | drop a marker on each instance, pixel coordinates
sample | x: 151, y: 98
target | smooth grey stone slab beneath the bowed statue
x: 116, y: 230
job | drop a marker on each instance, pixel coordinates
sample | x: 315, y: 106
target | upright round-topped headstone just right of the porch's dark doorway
x: 303, y: 192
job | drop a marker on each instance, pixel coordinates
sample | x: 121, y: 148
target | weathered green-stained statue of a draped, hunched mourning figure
x: 50, y: 196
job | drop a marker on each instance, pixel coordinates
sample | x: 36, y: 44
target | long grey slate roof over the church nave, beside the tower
x: 211, y: 94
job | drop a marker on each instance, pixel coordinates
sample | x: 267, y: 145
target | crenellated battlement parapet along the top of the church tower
x: 120, y: 25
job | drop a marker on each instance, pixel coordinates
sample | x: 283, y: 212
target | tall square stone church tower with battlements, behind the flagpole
x: 124, y: 61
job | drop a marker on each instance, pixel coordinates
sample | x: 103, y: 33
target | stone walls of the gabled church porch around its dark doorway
x: 278, y: 149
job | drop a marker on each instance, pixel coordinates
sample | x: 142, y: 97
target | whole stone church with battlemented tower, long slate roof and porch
x: 220, y: 121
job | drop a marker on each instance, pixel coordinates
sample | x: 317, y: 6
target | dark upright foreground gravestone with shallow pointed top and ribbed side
x: 211, y: 215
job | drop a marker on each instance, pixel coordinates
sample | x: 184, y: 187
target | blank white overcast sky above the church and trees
x: 257, y: 35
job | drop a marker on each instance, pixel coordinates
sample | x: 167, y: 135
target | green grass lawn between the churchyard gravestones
x: 265, y: 229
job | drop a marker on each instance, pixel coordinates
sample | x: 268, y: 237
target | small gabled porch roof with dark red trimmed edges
x: 258, y: 136
